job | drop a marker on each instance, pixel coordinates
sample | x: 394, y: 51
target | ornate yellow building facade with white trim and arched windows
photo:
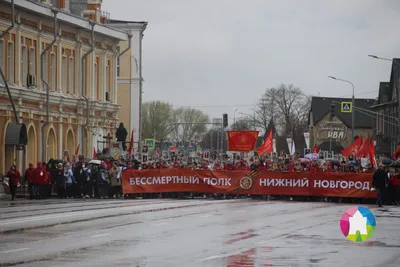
x: 20, y: 59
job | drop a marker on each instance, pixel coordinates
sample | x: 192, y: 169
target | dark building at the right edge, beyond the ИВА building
x: 386, y: 121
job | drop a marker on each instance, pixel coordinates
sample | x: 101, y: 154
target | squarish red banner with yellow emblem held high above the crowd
x: 242, y: 141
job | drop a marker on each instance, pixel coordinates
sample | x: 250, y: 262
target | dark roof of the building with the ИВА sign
x: 320, y: 106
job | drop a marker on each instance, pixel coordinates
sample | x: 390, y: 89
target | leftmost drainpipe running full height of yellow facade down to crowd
x: 42, y: 70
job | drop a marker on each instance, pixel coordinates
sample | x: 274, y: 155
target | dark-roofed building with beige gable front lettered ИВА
x: 336, y: 131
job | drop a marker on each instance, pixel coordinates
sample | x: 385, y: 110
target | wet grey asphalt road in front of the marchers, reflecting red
x: 158, y: 232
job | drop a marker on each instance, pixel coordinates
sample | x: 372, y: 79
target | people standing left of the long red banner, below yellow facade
x: 79, y: 180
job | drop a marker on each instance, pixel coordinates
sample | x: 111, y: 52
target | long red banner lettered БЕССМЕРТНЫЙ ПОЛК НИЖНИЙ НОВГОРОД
x: 246, y: 182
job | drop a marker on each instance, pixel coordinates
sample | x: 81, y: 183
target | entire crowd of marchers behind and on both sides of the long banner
x: 84, y: 180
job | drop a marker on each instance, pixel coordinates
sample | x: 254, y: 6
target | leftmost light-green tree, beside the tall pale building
x: 157, y: 117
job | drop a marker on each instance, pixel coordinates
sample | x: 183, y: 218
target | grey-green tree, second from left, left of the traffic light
x: 190, y: 124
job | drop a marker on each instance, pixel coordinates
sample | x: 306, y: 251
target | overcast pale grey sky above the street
x: 221, y: 55
